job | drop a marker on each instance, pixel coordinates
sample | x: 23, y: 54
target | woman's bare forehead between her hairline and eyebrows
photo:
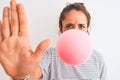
x: 75, y: 16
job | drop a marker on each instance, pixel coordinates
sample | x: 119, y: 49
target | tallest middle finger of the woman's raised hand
x: 14, y: 18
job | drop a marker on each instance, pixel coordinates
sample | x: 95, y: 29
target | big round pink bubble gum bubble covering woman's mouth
x: 74, y: 47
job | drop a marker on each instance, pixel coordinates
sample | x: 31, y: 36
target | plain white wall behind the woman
x: 43, y: 18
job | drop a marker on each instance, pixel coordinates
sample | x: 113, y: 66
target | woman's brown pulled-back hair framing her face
x: 74, y: 6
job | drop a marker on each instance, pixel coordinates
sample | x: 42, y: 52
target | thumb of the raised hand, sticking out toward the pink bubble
x: 41, y: 48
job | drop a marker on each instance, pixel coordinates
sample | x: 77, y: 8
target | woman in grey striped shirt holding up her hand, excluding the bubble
x: 21, y: 63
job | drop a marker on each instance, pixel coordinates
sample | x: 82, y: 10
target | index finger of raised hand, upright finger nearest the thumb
x: 22, y: 20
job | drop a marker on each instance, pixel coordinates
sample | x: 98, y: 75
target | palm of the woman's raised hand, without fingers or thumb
x: 15, y: 52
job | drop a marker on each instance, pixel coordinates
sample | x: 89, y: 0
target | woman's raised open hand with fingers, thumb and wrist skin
x: 16, y: 55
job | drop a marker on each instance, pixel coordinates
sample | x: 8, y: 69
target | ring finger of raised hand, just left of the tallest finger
x: 5, y: 24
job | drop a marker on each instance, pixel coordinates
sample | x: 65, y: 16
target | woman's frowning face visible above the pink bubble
x: 75, y: 20
